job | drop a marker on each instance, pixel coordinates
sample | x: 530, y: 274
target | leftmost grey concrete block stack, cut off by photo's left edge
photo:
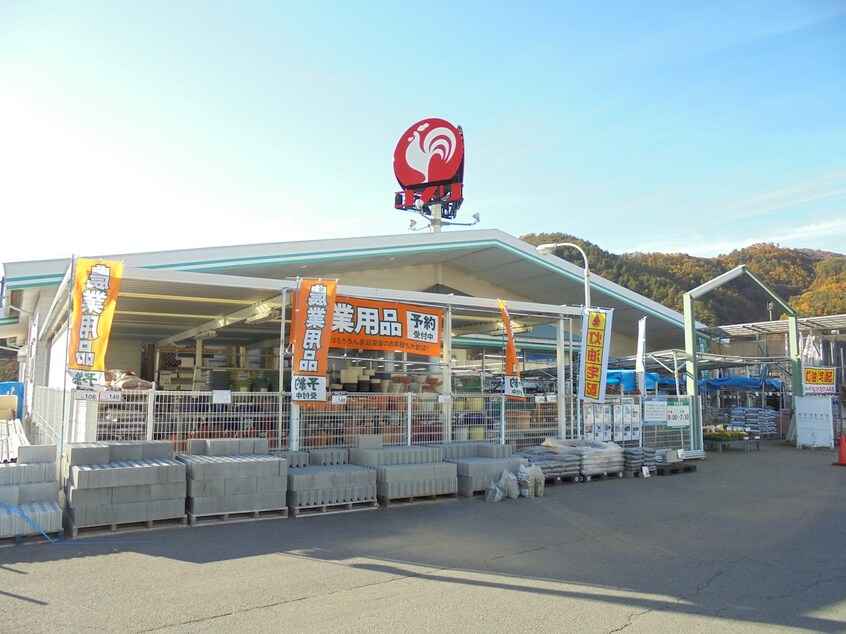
x: 29, y: 492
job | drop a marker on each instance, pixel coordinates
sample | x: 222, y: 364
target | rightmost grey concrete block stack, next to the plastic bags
x: 479, y: 463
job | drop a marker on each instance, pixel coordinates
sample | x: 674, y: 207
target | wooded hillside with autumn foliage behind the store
x: 812, y: 282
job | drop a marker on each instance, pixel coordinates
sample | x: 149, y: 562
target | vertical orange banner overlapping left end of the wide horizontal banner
x: 314, y: 309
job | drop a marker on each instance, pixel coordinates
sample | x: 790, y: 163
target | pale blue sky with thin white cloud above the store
x: 639, y: 126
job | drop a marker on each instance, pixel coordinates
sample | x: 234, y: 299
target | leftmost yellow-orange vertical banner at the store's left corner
x: 96, y: 284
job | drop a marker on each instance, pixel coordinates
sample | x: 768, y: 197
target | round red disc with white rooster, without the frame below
x: 430, y: 151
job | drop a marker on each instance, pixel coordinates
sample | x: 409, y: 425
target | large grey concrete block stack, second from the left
x: 118, y: 483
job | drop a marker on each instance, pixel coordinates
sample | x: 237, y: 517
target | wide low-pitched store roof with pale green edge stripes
x: 228, y: 289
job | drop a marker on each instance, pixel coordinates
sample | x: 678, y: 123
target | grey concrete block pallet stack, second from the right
x: 408, y: 472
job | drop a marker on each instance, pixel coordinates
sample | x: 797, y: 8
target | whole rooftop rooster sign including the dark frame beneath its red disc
x: 429, y: 166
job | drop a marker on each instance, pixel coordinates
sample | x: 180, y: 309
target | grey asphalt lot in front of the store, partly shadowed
x: 749, y: 542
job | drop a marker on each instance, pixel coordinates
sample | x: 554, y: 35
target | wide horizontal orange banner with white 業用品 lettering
x: 375, y: 325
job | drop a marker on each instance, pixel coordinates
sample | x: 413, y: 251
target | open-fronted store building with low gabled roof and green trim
x: 193, y: 321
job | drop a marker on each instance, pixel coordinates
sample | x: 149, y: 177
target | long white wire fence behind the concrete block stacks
x: 401, y: 419
